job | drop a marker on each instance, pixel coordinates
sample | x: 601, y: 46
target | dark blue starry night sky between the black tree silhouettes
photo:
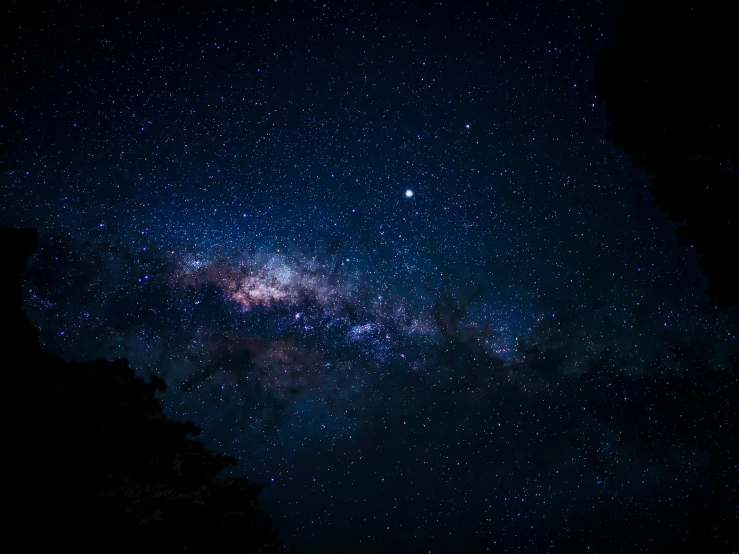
x: 381, y: 252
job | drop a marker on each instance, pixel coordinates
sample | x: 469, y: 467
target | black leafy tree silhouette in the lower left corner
x: 91, y: 461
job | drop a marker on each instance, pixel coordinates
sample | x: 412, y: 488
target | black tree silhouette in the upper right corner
x: 668, y: 81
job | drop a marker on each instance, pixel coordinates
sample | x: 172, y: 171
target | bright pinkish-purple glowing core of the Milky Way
x: 303, y: 300
